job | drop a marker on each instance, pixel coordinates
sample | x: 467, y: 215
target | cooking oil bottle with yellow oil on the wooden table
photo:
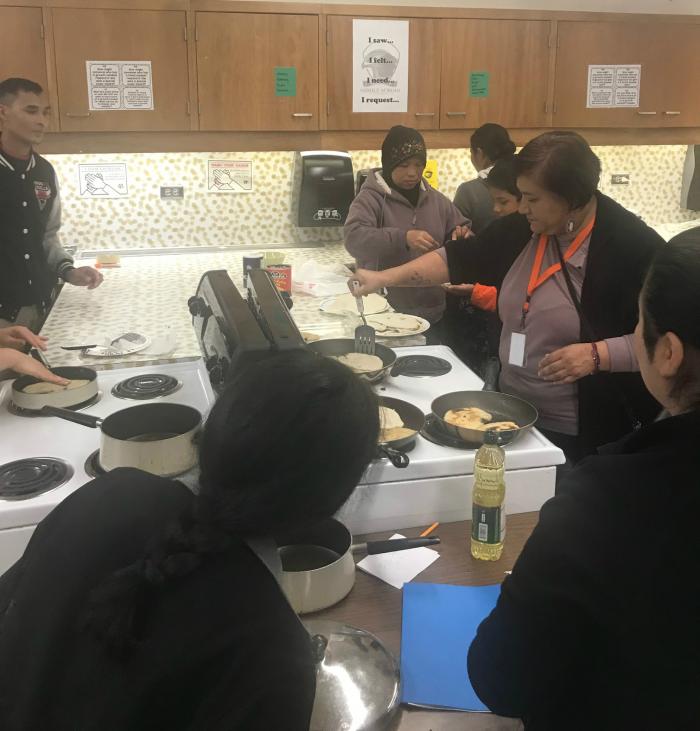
x: 488, y: 498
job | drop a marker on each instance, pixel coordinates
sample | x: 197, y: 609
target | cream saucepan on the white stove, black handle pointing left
x: 156, y: 438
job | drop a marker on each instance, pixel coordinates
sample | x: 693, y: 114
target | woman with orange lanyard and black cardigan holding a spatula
x: 566, y: 341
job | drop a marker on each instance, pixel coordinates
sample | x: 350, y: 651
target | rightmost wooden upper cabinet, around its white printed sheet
x: 669, y: 54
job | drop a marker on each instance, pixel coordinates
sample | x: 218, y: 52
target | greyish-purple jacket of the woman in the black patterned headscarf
x: 375, y: 234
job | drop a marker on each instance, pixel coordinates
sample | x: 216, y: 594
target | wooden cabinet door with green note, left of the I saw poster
x: 257, y: 71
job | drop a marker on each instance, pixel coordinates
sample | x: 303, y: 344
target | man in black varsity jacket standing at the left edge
x: 31, y: 256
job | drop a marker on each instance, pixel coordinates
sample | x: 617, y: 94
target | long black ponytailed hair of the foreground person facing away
x: 285, y: 445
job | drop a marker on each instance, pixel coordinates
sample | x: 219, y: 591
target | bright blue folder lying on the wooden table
x: 439, y: 622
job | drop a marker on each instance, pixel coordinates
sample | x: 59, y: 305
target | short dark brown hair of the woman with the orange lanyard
x: 564, y: 164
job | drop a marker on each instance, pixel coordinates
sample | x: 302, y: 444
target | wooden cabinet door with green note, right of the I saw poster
x: 494, y: 71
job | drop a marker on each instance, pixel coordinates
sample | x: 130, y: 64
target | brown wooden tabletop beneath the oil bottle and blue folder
x: 375, y: 606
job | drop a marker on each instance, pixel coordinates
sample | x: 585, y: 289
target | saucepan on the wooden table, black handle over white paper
x: 318, y: 567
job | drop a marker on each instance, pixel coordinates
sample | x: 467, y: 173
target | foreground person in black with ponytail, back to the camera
x: 139, y: 606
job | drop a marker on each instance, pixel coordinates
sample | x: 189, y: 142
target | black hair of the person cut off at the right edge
x: 670, y: 302
